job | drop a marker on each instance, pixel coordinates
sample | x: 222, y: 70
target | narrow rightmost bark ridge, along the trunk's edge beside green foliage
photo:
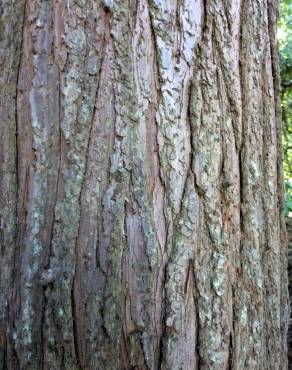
x: 273, y: 247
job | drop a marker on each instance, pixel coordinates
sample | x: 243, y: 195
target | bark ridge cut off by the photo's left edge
x: 11, y: 27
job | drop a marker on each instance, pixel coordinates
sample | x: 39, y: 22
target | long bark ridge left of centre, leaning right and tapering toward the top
x: 90, y: 276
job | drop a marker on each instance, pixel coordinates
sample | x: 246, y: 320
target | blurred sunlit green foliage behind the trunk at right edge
x: 285, y: 48
